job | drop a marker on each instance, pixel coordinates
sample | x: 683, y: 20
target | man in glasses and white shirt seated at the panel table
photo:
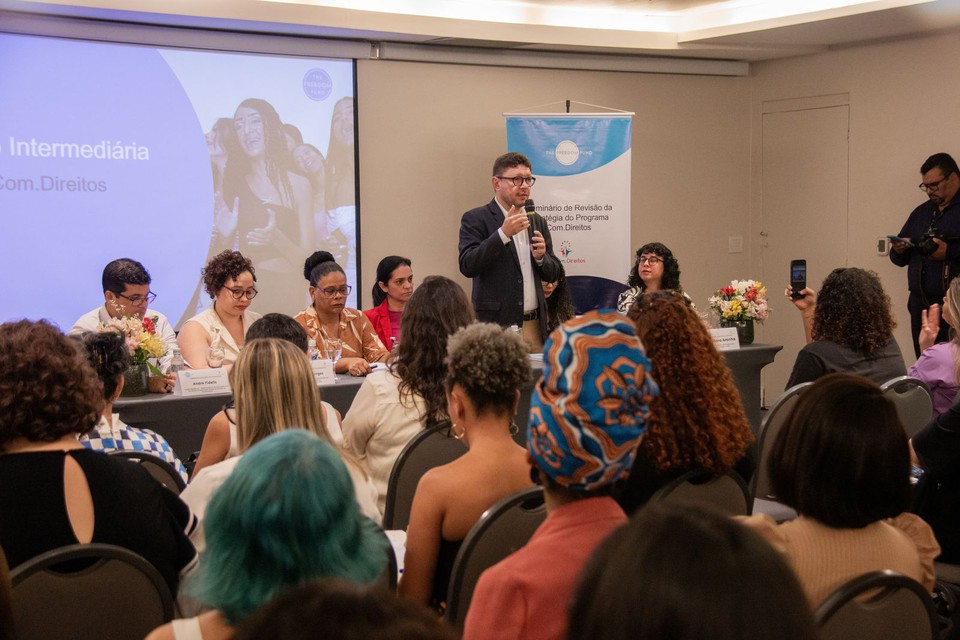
x: 126, y: 292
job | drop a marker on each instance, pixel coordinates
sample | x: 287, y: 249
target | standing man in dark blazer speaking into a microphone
x: 508, y: 252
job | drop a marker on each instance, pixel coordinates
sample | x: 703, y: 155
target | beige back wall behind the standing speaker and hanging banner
x: 429, y: 134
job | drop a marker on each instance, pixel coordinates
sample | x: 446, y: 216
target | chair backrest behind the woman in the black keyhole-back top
x: 88, y: 591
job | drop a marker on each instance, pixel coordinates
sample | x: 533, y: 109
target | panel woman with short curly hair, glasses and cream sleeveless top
x: 230, y: 280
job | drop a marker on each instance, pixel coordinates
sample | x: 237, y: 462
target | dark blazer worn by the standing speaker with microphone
x: 495, y: 267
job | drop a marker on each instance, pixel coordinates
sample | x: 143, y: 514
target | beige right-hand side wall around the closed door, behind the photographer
x: 904, y: 99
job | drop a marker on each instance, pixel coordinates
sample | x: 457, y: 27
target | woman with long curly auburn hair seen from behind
x: 697, y: 421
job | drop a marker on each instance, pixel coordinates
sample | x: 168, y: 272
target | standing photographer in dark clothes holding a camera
x: 929, y: 243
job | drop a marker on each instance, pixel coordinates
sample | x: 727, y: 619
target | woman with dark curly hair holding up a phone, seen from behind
x: 849, y: 328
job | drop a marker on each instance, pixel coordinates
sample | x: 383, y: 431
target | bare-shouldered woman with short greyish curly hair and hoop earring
x: 486, y: 369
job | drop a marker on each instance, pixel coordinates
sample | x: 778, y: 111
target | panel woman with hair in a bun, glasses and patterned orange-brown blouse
x: 329, y: 321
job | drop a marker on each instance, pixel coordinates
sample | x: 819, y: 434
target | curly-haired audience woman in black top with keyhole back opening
x: 55, y: 491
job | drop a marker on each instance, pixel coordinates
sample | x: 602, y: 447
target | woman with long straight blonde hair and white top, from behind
x: 274, y: 390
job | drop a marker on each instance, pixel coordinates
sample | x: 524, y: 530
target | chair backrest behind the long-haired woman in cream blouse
x: 430, y: 448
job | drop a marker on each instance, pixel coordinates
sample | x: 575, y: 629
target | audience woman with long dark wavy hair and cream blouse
x: 392, y: 406
